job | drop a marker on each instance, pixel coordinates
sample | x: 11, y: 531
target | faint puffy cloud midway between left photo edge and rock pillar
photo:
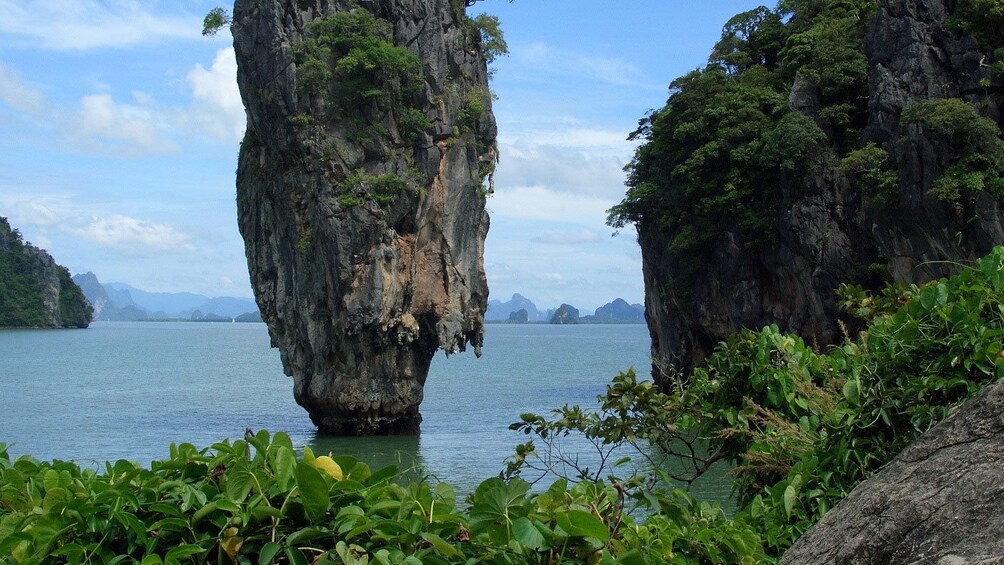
x: 130, y: 129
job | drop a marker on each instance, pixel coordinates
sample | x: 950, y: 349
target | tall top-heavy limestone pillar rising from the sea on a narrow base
x: 361, y: 196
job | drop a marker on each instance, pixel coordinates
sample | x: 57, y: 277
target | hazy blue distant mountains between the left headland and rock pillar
x: 123, y: 303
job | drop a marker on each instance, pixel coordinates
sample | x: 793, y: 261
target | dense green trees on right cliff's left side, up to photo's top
x: 717, y: 157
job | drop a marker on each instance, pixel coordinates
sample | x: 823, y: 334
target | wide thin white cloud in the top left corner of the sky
x: 89, y: 25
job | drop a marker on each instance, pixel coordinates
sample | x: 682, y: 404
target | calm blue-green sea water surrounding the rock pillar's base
x: 128, y: 390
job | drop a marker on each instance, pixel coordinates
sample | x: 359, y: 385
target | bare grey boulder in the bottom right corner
x: 940, y: 501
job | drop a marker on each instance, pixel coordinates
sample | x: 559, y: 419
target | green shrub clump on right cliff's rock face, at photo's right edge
x: 973, y: 143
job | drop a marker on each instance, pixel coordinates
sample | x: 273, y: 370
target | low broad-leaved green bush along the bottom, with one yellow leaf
x: 257, y: 501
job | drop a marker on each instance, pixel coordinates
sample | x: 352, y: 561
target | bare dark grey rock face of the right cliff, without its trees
x: 829, y: 233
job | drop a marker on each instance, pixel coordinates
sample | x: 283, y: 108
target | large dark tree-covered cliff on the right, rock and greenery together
x: 827, y: 142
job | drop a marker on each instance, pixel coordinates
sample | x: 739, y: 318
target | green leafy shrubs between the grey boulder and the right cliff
x: 801, y: 428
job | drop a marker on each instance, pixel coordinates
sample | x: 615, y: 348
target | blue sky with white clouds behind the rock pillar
x: 121, y: 124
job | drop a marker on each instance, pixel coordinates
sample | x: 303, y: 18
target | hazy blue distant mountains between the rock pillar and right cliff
x: 521, y: 310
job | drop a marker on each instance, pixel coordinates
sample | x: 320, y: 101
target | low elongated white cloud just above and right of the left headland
x: 131, y: 234
